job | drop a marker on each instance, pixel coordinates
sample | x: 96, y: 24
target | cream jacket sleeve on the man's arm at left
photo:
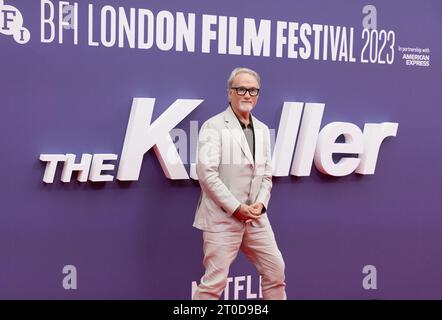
x: 209, y: 158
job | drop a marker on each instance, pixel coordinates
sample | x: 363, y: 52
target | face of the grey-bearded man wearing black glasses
x: 243, y: 104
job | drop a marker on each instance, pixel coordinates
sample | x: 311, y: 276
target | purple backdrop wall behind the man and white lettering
x: 134, y: 240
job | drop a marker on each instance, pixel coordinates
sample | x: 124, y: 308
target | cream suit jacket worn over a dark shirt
x: 228, y: 174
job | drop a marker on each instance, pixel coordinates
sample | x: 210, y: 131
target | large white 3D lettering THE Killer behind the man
x: 300, y: 143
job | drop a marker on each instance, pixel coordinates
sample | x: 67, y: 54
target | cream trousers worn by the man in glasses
x: 258, y: 244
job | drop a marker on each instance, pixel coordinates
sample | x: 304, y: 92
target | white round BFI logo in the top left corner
x: 11, y: 23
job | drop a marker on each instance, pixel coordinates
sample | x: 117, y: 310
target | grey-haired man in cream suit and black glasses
x: 235, y: 175
